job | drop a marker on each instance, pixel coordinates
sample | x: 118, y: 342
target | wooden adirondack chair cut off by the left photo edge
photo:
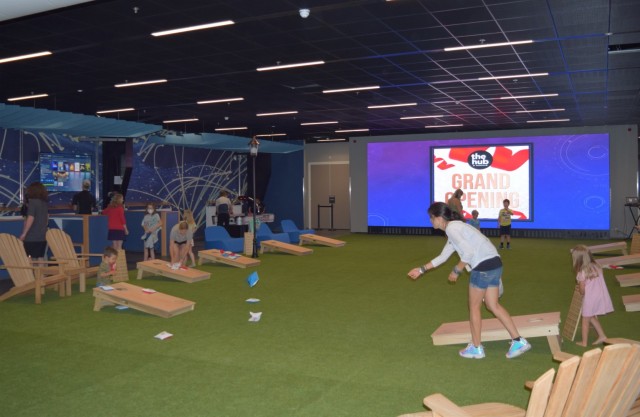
x: 25, y: 276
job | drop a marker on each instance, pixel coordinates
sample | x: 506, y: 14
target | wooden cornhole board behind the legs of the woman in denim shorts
x: 532, y: 325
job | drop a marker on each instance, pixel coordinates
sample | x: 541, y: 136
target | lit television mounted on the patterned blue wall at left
x: 65, y: 172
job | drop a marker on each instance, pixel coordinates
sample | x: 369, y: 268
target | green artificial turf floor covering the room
x: 344, y: 332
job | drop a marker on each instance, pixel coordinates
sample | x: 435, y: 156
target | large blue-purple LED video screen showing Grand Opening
x: 552, y: 182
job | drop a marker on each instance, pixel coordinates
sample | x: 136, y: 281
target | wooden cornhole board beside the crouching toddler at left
x: 157, y: 303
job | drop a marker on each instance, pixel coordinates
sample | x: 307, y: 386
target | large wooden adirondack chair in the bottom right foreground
x: 603, y: 383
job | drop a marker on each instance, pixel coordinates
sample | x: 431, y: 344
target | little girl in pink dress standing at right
x: 596, y: 300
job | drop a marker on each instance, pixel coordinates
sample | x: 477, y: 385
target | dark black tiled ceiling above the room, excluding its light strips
x: 589, y: 48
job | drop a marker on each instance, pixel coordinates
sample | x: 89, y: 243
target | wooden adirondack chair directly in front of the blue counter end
x: 76, y: 265
